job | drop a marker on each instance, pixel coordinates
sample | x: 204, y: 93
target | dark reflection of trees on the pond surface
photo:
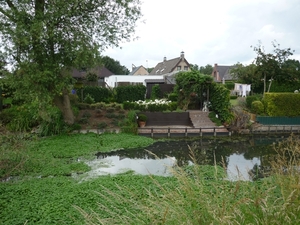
x: 203, y: 152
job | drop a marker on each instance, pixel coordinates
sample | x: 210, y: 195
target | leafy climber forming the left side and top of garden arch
x: 190, y: 82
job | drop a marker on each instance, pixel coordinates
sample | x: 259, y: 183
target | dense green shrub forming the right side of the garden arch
x: 220, y: 102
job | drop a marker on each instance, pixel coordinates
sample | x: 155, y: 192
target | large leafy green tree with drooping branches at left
x: 44, y: 39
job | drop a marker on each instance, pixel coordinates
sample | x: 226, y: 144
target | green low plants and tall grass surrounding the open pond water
x: 45, y: 193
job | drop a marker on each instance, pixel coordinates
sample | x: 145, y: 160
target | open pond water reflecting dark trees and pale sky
x: 238, y: 156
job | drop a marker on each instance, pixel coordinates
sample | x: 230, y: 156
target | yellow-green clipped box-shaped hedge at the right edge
x: 282, y: 104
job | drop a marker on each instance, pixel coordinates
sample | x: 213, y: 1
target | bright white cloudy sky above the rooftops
x: 214, y: 31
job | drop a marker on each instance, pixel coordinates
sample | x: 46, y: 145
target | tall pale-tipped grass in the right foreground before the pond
x: 202, y: 195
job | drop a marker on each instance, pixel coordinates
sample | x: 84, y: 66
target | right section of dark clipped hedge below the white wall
x: 130, y: 93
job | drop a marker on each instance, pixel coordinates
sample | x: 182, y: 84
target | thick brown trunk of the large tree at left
x: 63, y: 103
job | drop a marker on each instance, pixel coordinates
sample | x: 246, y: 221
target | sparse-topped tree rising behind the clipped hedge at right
x: 269, y: 65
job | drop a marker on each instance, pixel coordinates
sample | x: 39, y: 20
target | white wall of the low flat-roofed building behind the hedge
x: 113, y: 79
